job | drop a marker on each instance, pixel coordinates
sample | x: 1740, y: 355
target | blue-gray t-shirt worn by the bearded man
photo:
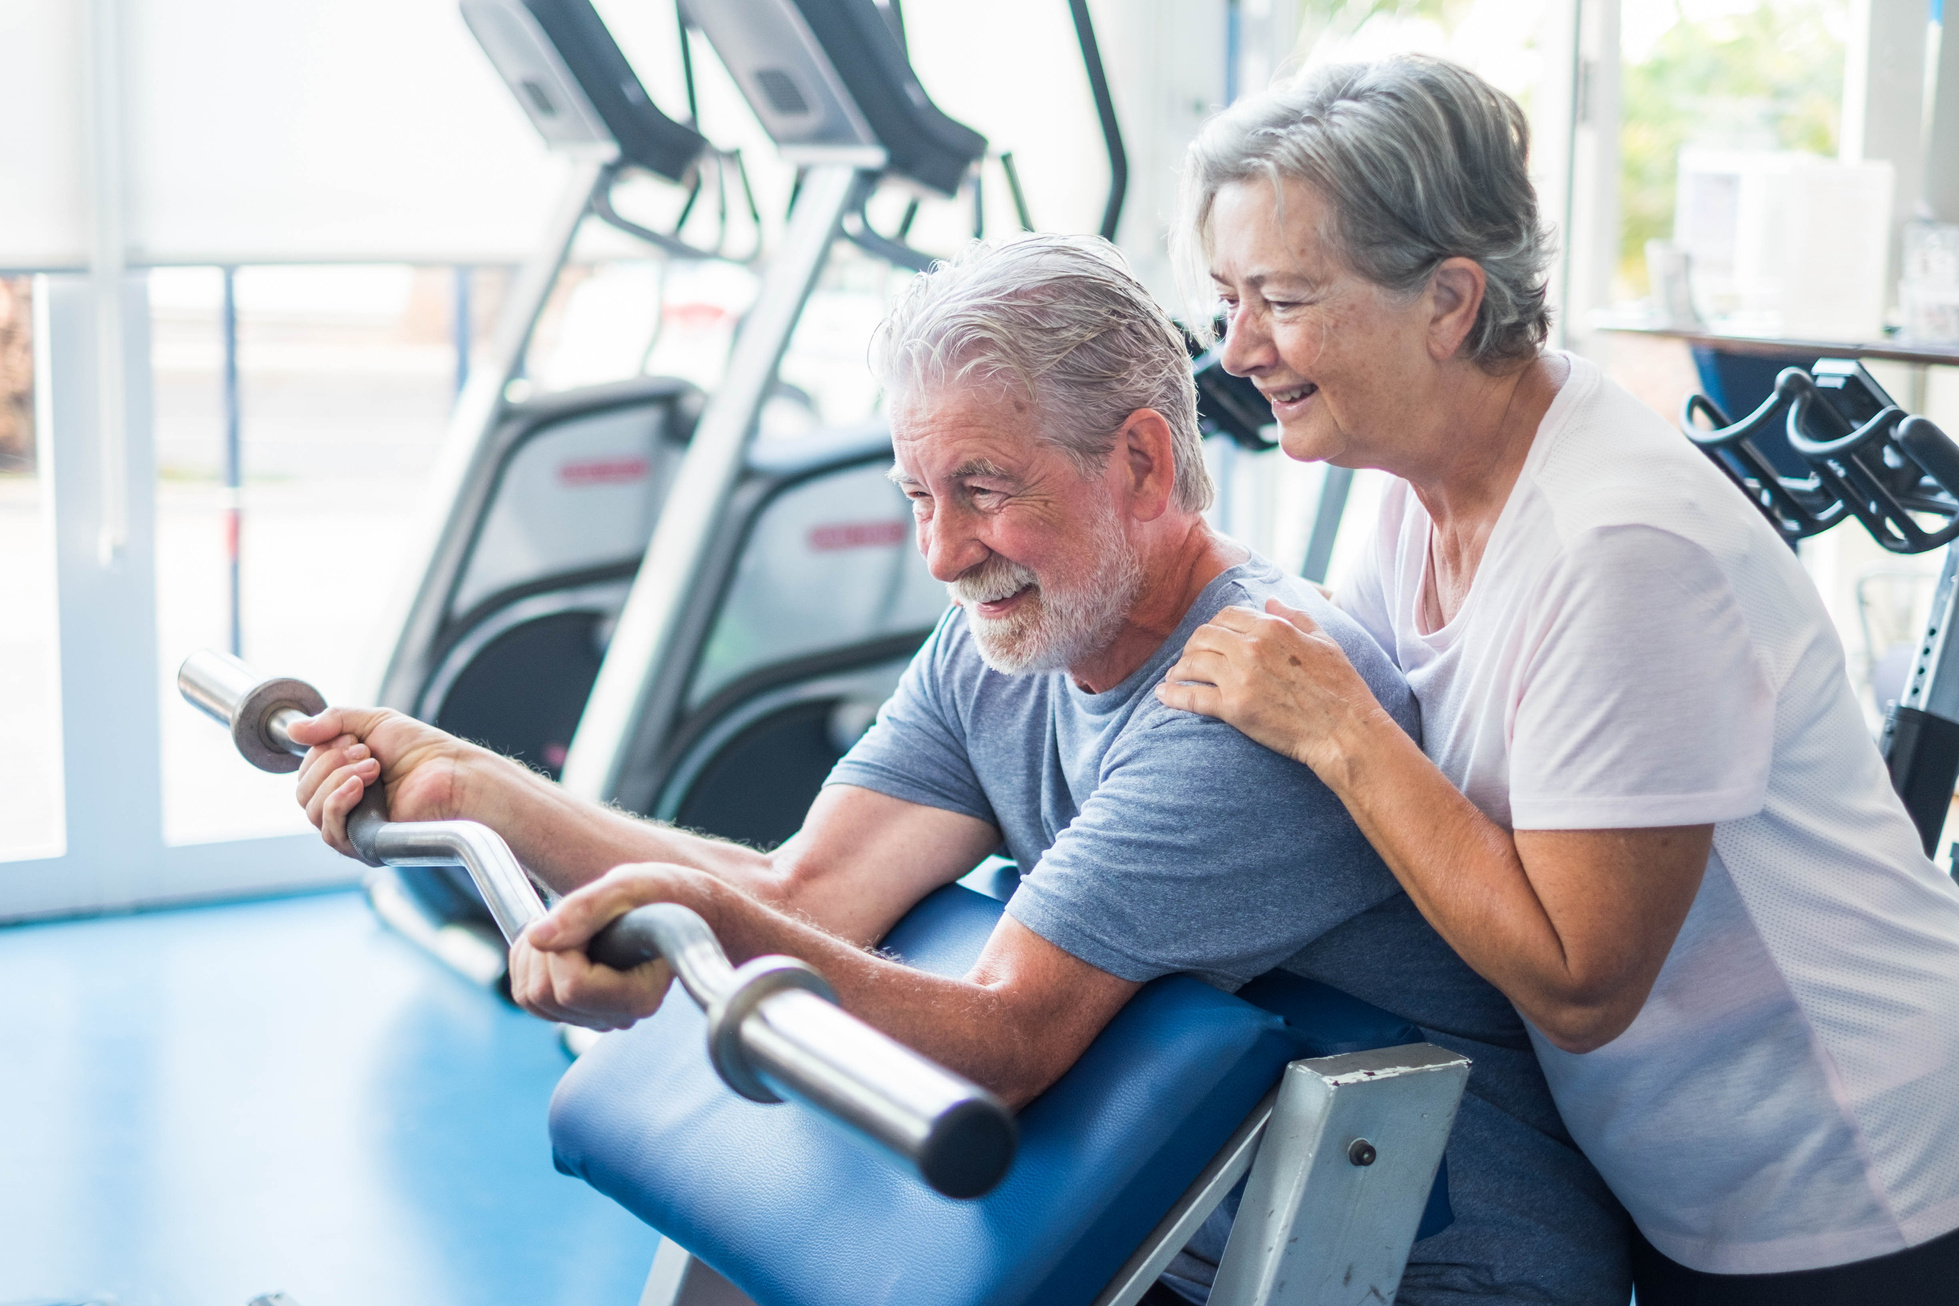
x: 1155, y: 841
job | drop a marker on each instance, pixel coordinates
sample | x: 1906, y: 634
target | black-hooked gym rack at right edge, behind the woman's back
x: 1899, y: 477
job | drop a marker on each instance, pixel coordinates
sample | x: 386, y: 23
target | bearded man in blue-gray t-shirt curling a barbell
x: 1045, y: 432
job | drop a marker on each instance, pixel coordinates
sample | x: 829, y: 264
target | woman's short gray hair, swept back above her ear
x: 1417, y: 162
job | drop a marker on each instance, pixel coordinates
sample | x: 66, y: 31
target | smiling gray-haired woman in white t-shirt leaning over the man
x: 1645, y: 804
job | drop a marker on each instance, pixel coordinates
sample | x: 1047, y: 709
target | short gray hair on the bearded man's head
x: 1063, y: 320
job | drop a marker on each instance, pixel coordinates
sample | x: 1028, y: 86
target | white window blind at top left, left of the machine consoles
x: 252, y: 132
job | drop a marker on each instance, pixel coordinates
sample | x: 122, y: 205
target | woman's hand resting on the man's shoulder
x: 1278, y: 678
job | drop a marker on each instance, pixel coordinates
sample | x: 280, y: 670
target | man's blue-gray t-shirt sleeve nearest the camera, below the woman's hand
x: 1200, y: 853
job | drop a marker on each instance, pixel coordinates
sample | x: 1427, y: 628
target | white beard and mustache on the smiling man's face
x: 1053, y: 628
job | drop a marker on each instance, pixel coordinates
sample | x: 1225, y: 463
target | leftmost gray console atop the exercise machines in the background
x: 577, y: 85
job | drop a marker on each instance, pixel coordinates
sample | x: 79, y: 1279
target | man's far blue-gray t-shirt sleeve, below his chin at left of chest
x: 916, y: 751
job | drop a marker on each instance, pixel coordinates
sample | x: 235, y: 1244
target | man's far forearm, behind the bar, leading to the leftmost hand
x: 567, y: 841
